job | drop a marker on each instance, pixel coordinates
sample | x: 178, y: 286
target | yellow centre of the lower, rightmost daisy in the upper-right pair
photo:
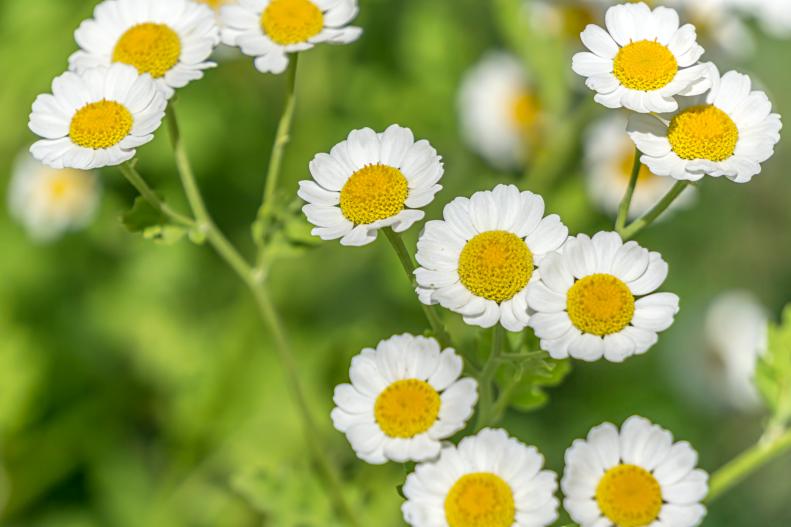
x: 703, y: 132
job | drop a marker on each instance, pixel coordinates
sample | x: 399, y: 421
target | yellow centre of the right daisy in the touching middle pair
x: 600, y: 304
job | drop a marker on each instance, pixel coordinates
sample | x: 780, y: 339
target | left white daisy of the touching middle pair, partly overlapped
x: 479, y: 260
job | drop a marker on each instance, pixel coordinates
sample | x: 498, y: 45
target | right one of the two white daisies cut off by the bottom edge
x: 637, y: 477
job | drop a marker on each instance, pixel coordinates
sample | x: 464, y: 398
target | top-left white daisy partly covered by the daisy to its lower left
x: 170, y: 40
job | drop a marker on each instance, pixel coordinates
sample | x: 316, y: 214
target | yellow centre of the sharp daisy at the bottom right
x: 629, y: 496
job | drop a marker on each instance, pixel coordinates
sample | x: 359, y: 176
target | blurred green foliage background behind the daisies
x: 137, y: 386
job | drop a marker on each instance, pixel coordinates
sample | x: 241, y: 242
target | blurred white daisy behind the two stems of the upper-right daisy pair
x: 609, y: 157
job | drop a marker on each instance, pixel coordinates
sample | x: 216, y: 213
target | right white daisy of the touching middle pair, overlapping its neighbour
x: 596, y: 299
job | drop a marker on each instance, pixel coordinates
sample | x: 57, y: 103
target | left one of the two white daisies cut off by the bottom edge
x: 489, y: 480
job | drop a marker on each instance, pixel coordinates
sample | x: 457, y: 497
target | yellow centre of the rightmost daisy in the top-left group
x: 292, y: 21
